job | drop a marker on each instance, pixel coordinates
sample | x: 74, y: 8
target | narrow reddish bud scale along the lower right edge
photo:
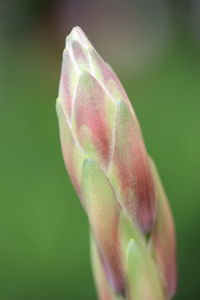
x: 162, y: 241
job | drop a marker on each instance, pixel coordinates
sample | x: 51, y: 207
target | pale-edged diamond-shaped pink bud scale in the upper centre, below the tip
x: 91, y: 119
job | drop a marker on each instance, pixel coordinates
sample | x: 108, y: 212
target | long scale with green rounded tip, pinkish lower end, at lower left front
x: 103, y: 213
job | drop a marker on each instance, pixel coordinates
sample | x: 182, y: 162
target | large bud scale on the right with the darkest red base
x: 129, y: 170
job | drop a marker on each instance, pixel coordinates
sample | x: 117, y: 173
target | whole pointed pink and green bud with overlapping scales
x: 106, y: 159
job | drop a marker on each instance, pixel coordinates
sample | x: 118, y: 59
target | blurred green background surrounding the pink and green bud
x: 154, y: 47
